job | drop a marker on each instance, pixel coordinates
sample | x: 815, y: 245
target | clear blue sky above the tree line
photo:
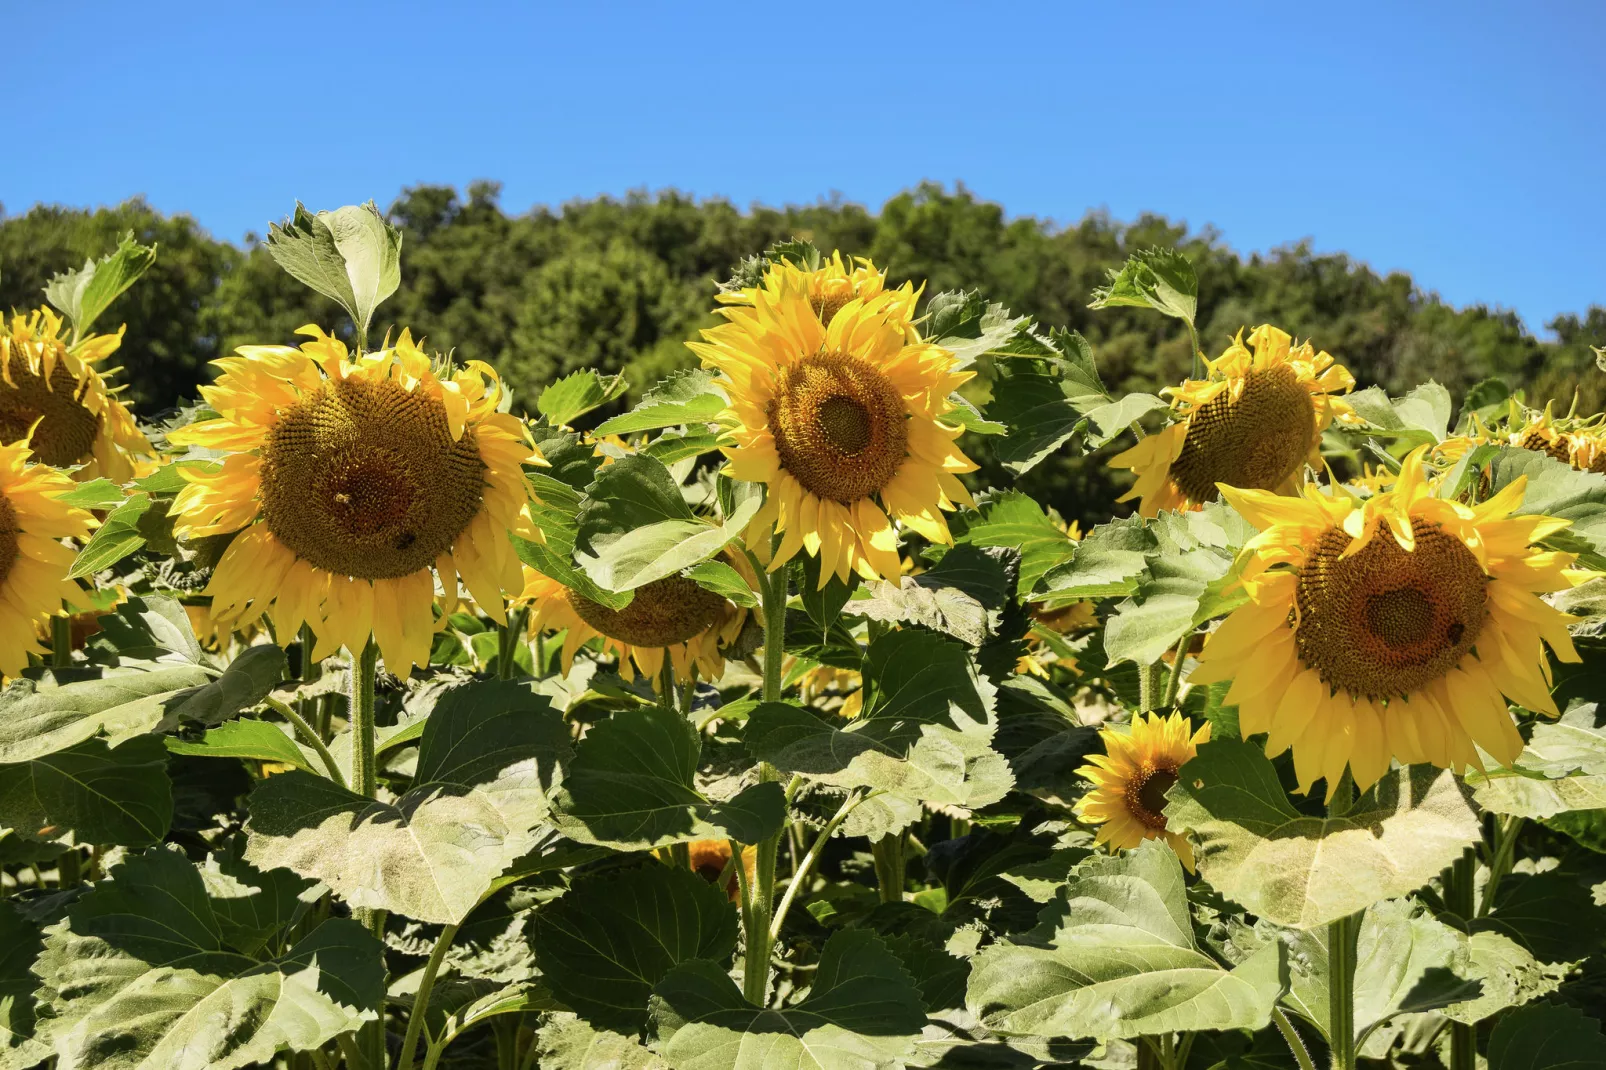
x: 1461, y: 142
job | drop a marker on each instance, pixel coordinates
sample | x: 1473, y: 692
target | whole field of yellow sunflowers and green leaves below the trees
x: 365, y: 714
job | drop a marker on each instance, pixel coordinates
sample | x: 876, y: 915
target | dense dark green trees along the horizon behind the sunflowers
x: 619, y: 285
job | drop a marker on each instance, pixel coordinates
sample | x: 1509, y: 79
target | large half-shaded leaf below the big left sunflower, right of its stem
x: 489, y: 758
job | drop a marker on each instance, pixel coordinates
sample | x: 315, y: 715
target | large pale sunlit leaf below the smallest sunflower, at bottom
x: 1115, y: 957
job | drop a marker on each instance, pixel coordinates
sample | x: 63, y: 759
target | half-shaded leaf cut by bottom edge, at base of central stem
x: 862, y: 1011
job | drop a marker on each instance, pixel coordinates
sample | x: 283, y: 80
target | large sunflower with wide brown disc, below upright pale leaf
x: 349, y: 480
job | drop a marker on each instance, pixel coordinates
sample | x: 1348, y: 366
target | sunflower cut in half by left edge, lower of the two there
x: 33, y: 560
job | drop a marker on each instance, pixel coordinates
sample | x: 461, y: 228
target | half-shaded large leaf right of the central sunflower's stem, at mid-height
x: 924, y: 735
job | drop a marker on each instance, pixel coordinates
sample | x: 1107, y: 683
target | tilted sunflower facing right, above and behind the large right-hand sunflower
x: 1253, y: 422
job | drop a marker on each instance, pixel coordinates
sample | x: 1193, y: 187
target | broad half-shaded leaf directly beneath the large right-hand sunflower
x: 1305, y: 872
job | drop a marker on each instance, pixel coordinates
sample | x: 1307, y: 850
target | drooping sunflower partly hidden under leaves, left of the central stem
x: 672, y: 615
